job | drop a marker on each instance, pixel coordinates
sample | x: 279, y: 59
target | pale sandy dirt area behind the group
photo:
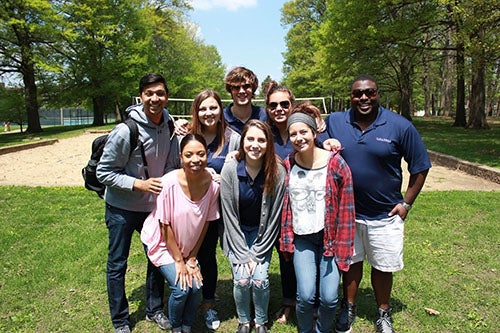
x: 60, y: 164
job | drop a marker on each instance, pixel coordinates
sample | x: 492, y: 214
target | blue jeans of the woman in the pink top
x: 182, y: 304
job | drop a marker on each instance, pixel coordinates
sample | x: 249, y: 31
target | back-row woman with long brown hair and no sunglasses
x: 208, y: 121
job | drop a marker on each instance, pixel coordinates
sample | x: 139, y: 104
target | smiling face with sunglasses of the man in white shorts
x: 364, y: 98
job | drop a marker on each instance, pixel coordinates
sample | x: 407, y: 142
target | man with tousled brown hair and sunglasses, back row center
x: 242, y: 83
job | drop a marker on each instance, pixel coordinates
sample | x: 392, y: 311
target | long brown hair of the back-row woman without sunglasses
x: 197, y: 127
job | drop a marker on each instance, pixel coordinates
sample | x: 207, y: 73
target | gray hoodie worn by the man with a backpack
x: 118, y: 169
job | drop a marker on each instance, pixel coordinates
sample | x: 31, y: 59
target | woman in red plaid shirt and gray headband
x: 318, y: 221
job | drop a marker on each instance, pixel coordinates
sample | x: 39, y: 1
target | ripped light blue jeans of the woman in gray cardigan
x: 256, y: 286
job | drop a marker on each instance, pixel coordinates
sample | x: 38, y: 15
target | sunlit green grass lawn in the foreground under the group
x: 53, y: 247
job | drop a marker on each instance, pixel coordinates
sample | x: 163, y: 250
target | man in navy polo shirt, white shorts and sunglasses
x: 374, y: 142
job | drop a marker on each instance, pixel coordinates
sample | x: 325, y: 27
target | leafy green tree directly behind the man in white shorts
x: 386, y: 39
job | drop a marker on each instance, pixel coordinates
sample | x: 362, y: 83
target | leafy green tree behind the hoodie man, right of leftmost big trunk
x: 103, y: 55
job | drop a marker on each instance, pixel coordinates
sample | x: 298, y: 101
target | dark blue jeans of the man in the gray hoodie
x: 121, y: 226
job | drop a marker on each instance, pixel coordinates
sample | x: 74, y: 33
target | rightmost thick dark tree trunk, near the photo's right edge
x: 477, y: 115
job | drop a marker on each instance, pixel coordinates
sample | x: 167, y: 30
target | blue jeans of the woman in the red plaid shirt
x: 310, y: 264
